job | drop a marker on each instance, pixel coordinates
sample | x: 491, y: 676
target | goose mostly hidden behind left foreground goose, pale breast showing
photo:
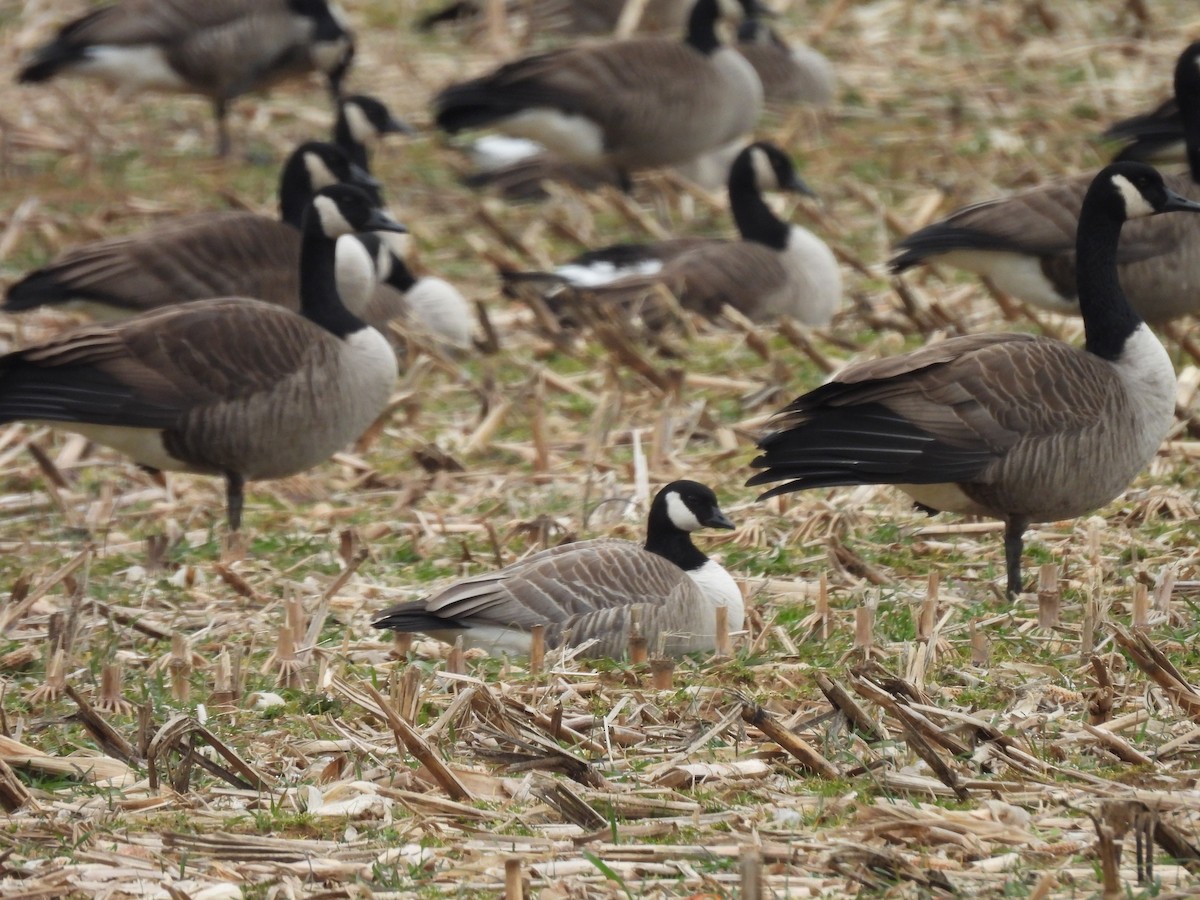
x: 434, y: 305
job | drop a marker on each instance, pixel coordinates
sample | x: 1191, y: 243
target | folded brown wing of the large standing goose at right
x: 946, y: 413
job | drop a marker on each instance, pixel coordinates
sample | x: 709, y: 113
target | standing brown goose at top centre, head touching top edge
x: 632, y: 105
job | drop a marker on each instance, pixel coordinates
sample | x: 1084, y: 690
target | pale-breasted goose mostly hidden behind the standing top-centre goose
x: 789, y: 75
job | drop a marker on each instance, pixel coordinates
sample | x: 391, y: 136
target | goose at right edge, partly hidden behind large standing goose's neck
x: 1024, y: 245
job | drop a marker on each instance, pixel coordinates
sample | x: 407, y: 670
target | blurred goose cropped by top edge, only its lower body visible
x: 572, y: 17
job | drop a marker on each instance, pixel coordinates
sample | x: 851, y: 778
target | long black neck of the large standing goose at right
x: 1108, y: 317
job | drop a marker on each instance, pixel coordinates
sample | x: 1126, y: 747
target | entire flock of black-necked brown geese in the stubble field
x: 248, y: 347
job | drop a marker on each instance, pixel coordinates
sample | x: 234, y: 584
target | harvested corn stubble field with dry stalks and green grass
x: 266, y: 742
